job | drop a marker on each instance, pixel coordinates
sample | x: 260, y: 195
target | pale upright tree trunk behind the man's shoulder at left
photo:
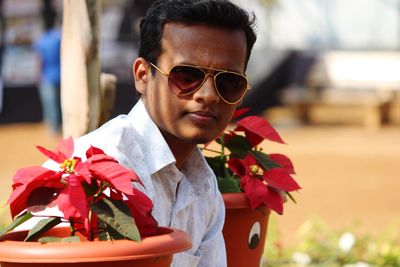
x: 80, y: 67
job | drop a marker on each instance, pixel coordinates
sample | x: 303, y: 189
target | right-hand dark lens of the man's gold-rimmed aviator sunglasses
x: 231, y: 86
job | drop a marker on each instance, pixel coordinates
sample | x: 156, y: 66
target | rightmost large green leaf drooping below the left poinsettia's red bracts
x: 117, y: 215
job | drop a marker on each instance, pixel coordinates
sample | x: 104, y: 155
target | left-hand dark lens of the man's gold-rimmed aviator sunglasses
x: 184, y: 80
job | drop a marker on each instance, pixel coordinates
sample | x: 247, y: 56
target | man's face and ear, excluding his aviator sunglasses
x: 201, y: 116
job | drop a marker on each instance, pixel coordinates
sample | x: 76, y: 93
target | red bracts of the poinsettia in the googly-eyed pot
x: 262, y: 182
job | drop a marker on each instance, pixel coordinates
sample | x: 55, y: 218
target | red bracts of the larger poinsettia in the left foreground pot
x: 79, y: 186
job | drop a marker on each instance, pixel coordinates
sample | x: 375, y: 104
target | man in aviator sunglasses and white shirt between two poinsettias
x: 181, y: 106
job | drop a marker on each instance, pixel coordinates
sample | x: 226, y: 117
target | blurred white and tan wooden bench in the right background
x: 352, y: 87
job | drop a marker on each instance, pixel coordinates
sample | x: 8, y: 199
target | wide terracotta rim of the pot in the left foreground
x: 169, y: 241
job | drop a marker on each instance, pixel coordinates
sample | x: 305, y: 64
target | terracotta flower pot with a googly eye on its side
x: 244, y: 231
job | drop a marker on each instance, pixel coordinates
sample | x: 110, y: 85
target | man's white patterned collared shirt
x: 186, y: 199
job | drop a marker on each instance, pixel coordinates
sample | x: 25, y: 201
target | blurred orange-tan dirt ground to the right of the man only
x: 348, y: 174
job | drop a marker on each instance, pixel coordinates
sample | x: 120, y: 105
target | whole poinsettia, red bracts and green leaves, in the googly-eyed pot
x: 241, y: 165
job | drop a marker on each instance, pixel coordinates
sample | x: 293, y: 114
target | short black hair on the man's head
x: 221, y: 13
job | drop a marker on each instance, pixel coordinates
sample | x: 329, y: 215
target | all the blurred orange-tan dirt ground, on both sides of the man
x: 348, y: 174
